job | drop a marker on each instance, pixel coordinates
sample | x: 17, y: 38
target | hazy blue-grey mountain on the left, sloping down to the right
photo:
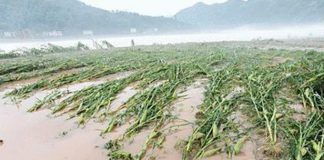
x: 73, y: 16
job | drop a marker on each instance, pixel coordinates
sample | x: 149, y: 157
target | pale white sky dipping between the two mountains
x: 147, y: 7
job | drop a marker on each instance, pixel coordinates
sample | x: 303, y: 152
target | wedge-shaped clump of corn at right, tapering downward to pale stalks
x: 261, y: 88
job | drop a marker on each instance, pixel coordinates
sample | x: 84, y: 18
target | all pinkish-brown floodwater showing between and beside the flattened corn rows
x: 38, y: 136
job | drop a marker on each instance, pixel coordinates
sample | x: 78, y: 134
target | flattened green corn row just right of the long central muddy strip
x: 212, y: 119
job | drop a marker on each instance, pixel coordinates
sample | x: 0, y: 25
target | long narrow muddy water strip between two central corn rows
x: 177, y: 130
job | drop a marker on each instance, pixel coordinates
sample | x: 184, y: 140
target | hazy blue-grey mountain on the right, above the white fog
x: 235, y: 13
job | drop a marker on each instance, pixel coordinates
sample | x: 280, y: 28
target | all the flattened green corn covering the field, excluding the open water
x: 271, y: 81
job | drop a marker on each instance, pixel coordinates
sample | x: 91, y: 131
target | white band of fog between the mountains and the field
x: 238, y: 34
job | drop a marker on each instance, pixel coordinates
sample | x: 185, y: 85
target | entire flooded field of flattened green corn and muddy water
x: 227, y: 100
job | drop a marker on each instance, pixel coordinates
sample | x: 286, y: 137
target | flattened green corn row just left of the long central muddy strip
x: 151, y: 106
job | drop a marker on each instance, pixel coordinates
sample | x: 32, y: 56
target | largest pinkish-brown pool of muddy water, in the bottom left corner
x: 35, y: 136
